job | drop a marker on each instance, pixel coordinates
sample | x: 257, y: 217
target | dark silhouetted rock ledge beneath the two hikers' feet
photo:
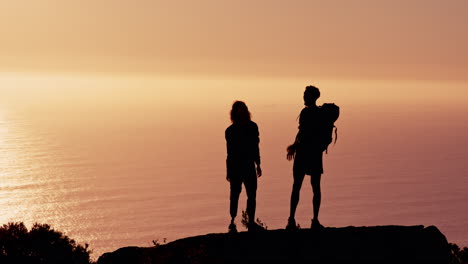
x: 380, y: 244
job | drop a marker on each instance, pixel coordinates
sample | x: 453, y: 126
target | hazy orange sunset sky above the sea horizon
x: 416, y: 39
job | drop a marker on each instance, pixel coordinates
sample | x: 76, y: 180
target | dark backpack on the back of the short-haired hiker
x: 329, y: 114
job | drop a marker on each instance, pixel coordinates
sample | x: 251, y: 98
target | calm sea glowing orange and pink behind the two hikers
x: 116, y: 163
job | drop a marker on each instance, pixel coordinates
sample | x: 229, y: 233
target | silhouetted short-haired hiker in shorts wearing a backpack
x: 315, y: 134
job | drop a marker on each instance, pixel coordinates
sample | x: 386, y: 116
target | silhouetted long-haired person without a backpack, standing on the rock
x: 243, y: 162
